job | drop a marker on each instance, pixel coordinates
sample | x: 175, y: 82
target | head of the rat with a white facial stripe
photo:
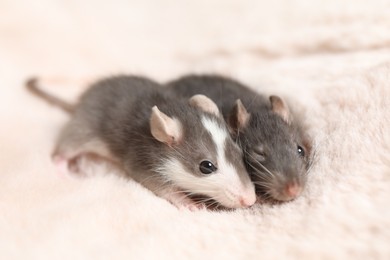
x: 200, y: 156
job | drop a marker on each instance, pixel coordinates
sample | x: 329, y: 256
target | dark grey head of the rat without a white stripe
x: 275, y: 153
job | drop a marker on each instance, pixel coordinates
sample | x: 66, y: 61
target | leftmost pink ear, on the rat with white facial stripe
x: 163, y: 128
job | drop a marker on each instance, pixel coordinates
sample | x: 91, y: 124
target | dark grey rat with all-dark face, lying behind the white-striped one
x: 276, y: 149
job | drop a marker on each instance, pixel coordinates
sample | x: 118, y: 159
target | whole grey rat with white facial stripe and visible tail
x: 175, y: 147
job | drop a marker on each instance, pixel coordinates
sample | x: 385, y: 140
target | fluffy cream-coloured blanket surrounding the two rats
x: 331, y: 58
